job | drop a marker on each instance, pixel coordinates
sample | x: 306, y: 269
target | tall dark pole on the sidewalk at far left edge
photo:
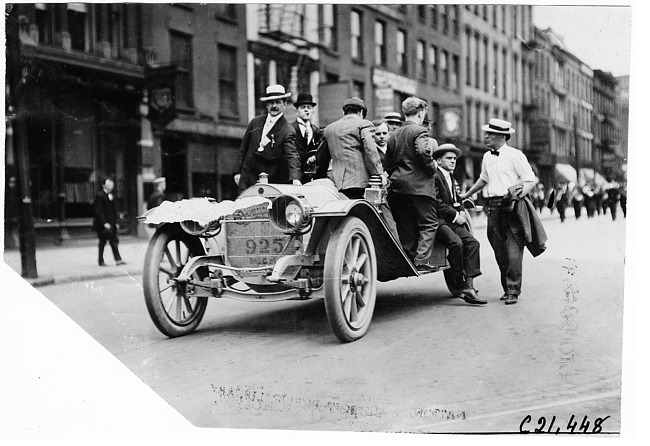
x: 17, y: 64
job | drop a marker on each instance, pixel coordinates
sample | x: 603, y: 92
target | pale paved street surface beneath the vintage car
x: 428, y: 364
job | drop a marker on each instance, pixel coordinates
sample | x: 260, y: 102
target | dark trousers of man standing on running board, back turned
x: 417, y: 223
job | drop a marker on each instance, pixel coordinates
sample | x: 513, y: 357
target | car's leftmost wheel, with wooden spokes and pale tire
x: 172, y: 307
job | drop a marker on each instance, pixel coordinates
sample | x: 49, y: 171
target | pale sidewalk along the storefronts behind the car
x: 76, y: 261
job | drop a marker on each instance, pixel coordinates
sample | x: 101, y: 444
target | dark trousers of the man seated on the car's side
x: 464, y: 250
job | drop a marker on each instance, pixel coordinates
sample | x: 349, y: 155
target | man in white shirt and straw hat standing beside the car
x: 503, y: 167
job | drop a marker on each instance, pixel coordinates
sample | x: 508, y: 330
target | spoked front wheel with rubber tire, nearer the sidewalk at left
x: 171, y: 235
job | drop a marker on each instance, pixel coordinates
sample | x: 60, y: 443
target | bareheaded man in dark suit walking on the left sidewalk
x: 105, y: 221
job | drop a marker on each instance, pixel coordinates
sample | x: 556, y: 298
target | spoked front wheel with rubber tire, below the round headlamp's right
x: 336, y: 280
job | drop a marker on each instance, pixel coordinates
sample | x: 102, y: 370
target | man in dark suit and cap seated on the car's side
x: 464, y: 249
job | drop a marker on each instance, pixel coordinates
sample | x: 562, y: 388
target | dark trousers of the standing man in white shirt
x: 505, y: 235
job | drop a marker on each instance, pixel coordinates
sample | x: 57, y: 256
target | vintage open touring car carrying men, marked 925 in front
x: 274, y: 242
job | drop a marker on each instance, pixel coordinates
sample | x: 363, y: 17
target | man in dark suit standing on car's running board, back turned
x: 410, y: 165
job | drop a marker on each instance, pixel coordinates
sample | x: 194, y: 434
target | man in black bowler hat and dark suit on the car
x: 307, y: 135
